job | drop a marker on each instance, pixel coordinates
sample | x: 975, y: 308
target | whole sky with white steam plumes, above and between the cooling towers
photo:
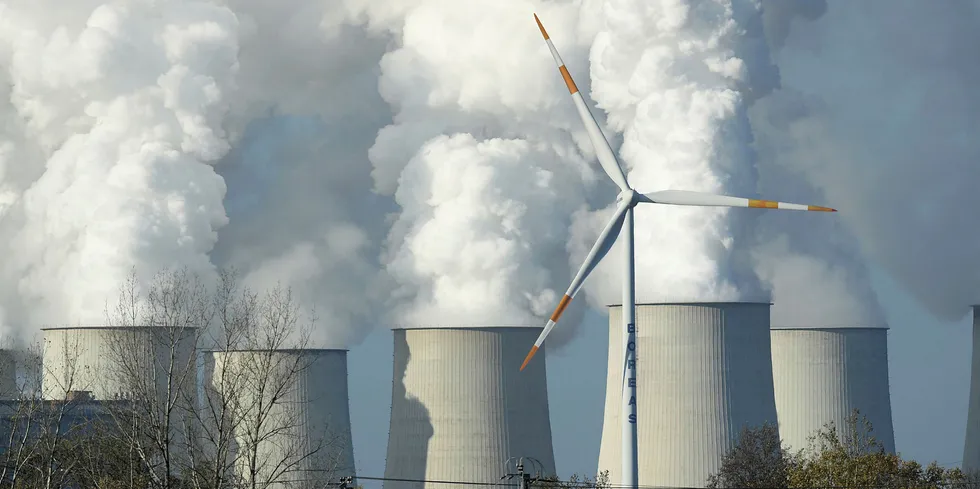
x: 412, y: 163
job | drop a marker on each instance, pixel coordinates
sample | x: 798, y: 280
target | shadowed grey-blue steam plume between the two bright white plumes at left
x: 301, y: 212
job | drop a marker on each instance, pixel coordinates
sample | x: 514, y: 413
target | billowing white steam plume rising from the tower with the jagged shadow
x: 485, y: 158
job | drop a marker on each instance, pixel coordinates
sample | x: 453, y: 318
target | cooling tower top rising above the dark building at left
x: 116, y: 362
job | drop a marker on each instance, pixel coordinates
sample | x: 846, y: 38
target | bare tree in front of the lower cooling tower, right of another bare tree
x: 275, y: 444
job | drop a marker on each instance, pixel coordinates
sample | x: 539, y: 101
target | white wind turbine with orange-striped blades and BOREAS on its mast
x: 622, y: 222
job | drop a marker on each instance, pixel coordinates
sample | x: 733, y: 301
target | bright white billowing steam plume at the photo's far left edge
x: 124, y: 103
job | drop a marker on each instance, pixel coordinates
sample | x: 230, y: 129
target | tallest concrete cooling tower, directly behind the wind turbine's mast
x: 703, y: 373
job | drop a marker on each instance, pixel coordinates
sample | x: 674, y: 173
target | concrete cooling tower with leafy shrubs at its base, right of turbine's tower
x: 822, y: 374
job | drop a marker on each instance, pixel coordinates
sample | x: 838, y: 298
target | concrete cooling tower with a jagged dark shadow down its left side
x: 460, y: 406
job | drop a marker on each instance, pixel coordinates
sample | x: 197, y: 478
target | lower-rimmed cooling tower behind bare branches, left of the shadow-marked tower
x: 291, y: 414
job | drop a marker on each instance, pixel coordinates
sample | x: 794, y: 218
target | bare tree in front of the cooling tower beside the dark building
x: 151, y: 363
